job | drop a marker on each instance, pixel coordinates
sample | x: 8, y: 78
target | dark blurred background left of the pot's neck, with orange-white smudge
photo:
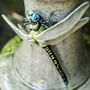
x: 15, y: 10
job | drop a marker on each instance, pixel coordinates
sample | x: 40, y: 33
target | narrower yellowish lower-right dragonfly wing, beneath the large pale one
x: 66, y: 34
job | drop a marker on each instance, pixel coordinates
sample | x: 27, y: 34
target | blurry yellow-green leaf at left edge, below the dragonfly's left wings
x: 10, y: 46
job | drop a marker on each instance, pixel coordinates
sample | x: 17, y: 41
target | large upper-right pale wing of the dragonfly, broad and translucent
x: 63, y: 26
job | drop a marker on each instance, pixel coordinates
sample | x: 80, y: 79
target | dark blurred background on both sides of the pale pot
x: 15, y: 8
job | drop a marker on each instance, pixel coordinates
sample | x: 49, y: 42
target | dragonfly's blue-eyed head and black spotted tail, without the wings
x: 36, y: 20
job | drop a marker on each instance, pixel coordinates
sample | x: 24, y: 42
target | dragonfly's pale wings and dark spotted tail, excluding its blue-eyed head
x: 54, y: 34
